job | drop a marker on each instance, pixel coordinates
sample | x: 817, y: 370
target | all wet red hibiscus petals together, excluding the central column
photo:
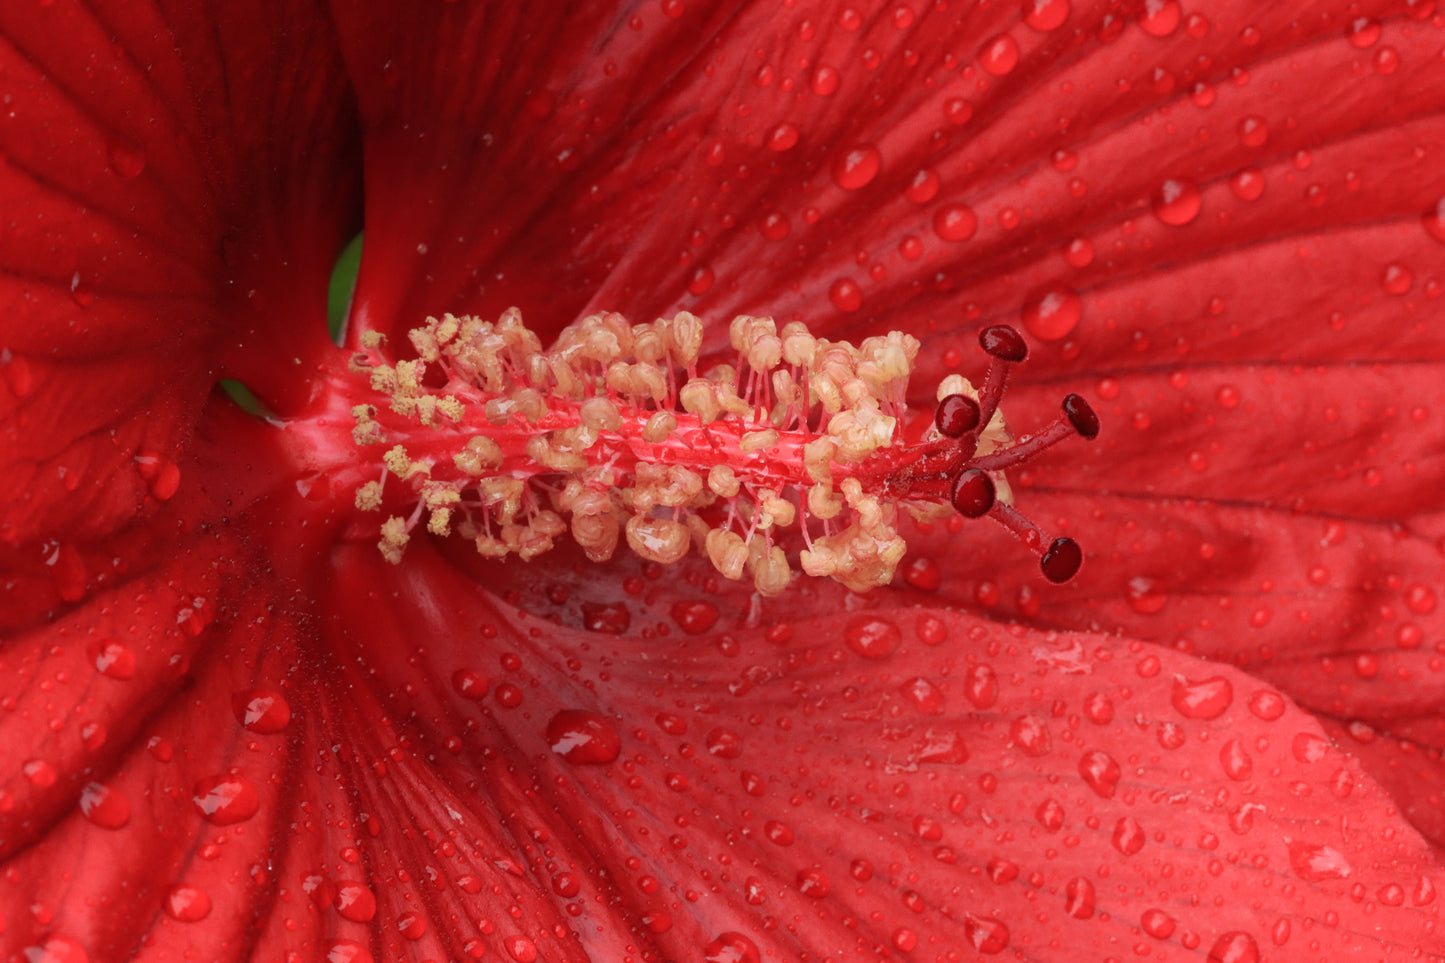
x: 233, y: 731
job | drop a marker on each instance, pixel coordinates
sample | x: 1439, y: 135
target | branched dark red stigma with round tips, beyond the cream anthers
x: 973, y: 491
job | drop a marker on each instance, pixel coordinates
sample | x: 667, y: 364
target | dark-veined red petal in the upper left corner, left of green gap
x: 148, y: 151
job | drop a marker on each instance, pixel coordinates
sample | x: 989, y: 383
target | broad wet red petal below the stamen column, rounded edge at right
x: 418, y: 769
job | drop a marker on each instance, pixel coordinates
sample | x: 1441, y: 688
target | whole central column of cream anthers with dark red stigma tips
x: 613, y: 435
